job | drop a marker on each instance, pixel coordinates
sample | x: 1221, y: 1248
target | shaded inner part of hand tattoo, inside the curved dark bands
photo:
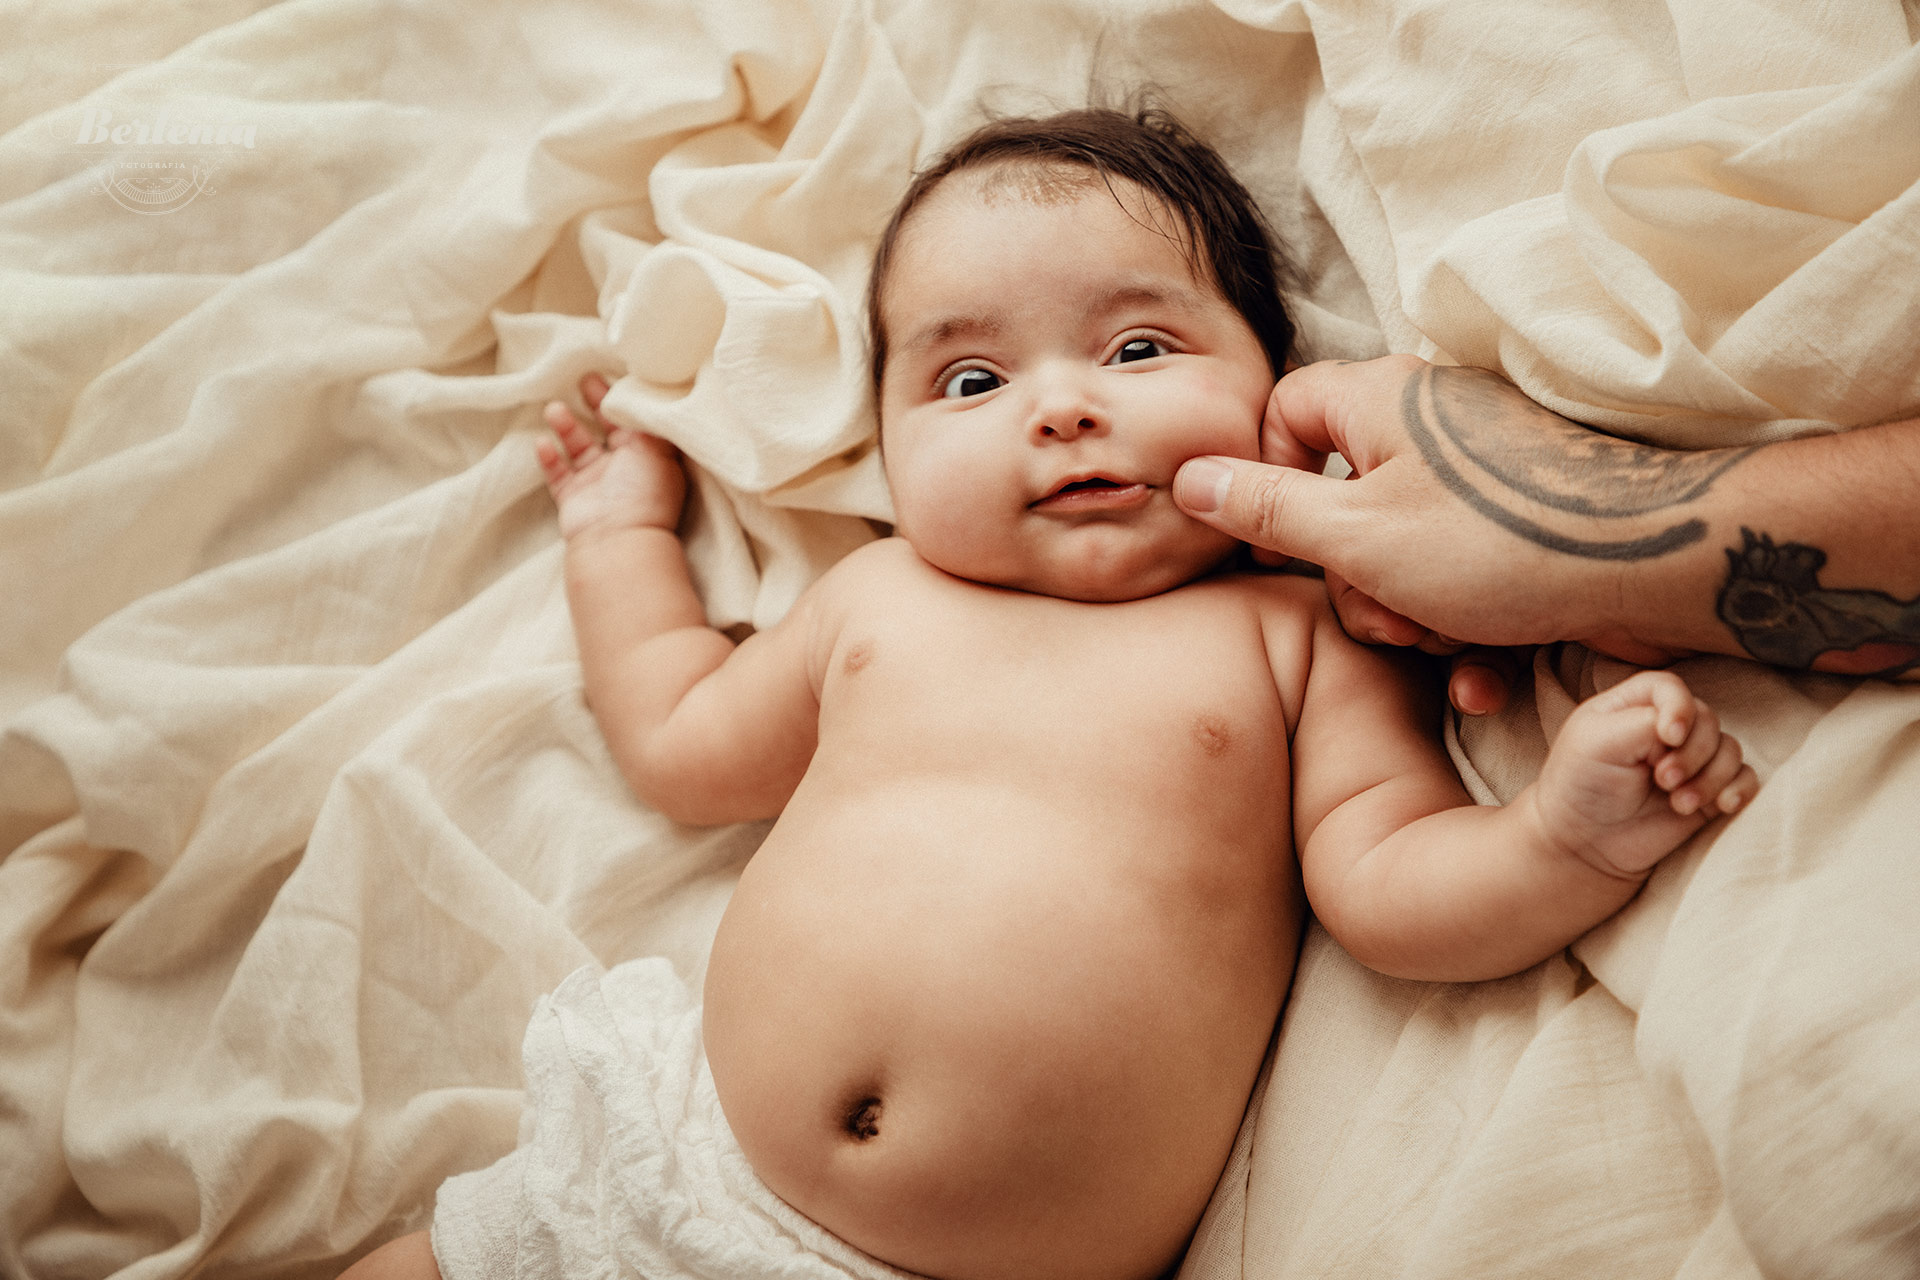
x: 1568, y: 467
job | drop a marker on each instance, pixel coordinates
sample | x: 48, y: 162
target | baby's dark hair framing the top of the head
x: 1226, y: 231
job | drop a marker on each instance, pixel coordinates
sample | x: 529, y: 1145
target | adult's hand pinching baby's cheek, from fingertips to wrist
x: 1474, y: 517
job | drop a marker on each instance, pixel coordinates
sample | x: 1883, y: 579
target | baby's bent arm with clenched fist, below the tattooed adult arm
x: 1418, y: 882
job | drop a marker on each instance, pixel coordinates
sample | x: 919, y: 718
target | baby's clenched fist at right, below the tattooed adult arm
x: 1635, y: 772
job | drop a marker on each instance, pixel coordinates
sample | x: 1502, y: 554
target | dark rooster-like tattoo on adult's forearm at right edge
x: 1779, y: 611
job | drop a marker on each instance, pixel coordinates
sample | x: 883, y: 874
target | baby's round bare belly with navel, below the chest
x: 976, y: 1035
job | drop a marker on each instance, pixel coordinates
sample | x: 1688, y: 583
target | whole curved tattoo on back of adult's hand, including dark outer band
x: 1548, y: 462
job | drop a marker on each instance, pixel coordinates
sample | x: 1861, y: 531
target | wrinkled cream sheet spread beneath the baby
x: 300, y: 809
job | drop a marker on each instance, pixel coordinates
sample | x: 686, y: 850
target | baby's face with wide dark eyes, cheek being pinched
x: 1051, y: 366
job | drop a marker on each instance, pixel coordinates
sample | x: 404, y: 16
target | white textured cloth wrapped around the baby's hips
x: 627, y: 1166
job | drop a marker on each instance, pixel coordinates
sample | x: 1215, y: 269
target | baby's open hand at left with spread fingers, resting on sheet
x: 633, y: 481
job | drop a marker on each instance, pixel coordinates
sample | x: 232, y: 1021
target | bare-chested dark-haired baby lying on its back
x: 992, y: 997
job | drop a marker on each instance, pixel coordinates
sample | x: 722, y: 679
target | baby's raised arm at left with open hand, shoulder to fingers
x: 704, y: 730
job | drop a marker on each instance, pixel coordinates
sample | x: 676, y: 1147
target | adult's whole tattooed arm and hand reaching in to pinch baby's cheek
x: 1481, y: 517
